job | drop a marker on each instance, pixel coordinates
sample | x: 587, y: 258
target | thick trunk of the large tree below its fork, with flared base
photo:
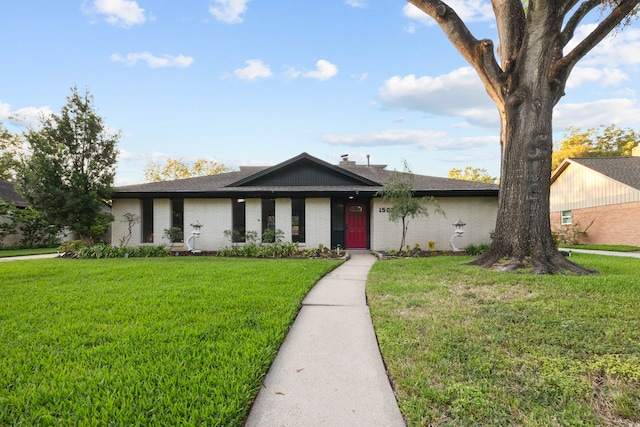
x: 523, y: 232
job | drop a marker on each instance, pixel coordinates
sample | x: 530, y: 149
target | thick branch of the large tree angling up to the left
x: 479, y: 53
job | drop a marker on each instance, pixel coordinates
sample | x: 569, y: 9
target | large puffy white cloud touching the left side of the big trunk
x: 459, y: 93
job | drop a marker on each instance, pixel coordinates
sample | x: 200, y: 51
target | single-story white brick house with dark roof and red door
x: 313, y: 203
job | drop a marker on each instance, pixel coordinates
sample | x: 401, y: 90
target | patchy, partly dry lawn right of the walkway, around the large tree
x: 467, y: 346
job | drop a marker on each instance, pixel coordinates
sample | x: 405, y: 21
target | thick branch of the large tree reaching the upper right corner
x: 618, y: 13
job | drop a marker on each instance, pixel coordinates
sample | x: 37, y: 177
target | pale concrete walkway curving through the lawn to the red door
x: 329, y: 371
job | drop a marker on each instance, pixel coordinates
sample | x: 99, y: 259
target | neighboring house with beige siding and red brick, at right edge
x: 601, y: 195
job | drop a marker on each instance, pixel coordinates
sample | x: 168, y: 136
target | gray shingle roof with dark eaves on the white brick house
x: 369, y: 179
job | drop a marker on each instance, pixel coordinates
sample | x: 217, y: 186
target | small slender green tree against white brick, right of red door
x: 404, y: 205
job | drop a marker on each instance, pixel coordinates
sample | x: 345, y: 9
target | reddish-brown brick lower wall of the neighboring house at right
x: 613, y: 225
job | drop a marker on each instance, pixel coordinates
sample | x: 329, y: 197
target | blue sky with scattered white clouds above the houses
x: 256, y: 82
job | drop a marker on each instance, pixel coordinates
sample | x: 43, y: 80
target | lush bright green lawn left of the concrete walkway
x: 171, y: 341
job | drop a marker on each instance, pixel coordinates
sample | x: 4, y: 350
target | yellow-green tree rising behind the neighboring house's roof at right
x: 603, y: 141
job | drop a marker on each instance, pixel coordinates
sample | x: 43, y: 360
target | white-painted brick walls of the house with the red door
x: 479, y: 214
